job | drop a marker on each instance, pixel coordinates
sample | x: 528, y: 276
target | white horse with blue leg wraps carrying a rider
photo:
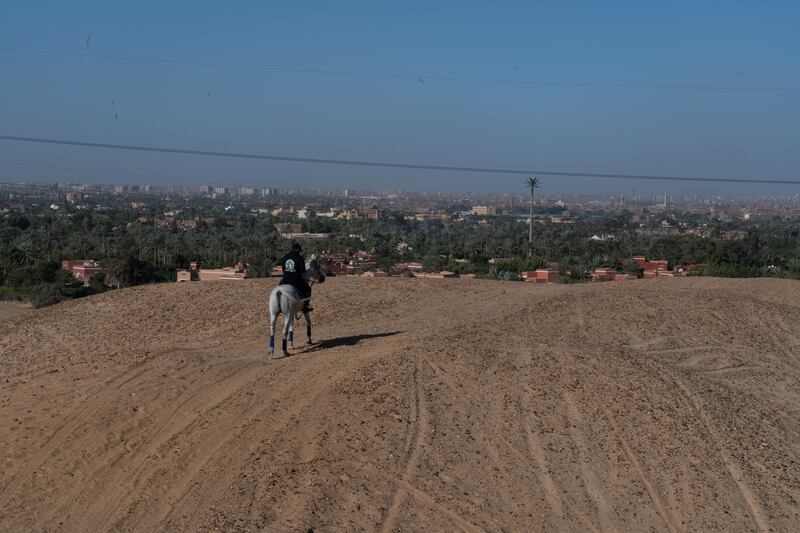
x: 286, y: 300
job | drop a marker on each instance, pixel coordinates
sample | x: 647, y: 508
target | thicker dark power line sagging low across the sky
x: 410, y: 166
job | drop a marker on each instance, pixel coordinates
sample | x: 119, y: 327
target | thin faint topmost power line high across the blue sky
x: 412, y: 77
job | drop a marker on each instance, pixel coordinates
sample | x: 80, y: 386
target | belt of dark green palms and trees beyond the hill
x: 135, y: 250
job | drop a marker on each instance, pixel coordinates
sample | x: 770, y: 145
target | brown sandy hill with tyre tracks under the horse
x: 667, y: 405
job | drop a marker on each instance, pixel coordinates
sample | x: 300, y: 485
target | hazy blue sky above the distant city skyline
x: 551, y: 127
